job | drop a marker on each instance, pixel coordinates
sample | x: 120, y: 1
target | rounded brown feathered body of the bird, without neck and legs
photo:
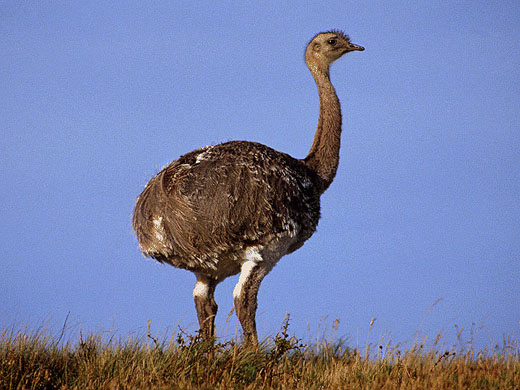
x: 203, y: 211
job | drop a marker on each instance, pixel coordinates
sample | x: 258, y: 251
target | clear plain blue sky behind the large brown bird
x: 97, y: 96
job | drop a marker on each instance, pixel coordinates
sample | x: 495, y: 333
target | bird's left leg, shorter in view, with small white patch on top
x: 205, y: 305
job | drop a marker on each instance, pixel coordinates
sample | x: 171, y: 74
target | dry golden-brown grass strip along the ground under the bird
x: 39, y: 361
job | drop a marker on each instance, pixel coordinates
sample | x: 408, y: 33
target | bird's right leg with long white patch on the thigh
x: 245, y: 297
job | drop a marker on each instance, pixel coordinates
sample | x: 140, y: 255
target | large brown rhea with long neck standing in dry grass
x: 240, y: 206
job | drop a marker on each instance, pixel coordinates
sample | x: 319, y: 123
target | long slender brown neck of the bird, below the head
x: 323, y: 156
